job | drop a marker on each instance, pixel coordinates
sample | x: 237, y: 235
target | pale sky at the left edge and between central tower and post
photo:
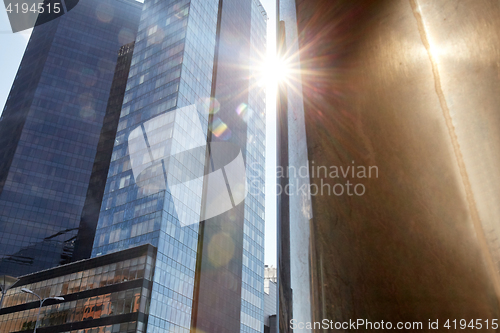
x: 14, y: 45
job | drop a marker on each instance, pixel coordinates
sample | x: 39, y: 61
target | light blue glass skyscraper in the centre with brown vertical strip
x: 193, y: 80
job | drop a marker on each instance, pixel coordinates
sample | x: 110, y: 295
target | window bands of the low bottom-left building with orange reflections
x: 116, y: 303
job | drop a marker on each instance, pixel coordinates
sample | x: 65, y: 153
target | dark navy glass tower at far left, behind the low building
x: 49, y: 130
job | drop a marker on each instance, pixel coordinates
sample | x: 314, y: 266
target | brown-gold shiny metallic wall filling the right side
x: 408, y: 90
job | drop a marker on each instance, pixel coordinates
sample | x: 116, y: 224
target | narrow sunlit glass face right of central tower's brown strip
x: 252, y: 288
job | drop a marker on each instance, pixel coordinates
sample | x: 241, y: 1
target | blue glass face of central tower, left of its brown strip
x: 174, y: 37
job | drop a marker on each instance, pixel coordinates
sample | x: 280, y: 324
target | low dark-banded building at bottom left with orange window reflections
x: 108, y: 294
